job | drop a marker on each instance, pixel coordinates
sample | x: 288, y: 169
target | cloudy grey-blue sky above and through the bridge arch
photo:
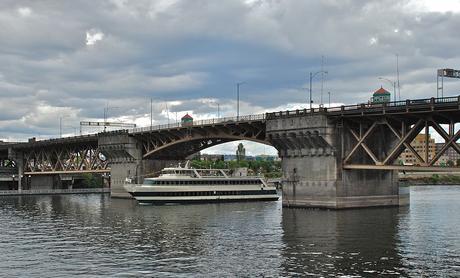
x: 71, y: 59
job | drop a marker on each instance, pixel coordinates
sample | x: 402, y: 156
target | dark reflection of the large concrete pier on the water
x: 350, y: 242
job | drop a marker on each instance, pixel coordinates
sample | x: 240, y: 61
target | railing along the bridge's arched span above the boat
x: 244, y: 118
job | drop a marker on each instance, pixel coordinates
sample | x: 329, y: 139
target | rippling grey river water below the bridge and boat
x: 93, y: 235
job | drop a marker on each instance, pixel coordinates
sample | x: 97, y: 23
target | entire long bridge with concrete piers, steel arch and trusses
x: 336, y: 157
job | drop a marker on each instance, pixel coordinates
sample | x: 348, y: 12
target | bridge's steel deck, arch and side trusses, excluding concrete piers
x: 393, y: 124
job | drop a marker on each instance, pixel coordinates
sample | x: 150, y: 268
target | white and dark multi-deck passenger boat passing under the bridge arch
x: 187, y: 185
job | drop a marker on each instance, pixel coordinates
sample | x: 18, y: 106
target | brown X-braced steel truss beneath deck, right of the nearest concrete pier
x: 397, y: 134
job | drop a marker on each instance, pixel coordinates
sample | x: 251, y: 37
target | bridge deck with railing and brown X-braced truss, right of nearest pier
x: 378, y: 138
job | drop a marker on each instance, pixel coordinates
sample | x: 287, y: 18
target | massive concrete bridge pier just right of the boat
x: 310, y: 148
